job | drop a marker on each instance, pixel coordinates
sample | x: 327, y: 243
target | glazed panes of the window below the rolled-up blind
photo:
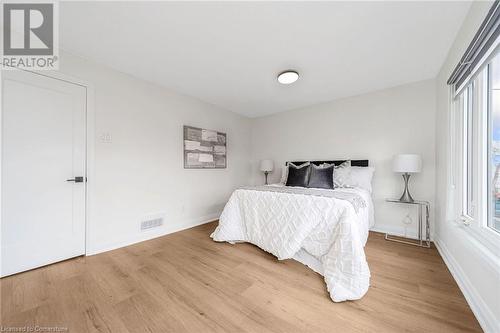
x: 477, y: 108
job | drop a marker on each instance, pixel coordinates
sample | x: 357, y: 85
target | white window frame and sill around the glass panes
x: 476, y: 223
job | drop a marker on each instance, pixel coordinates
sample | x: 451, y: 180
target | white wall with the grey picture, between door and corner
x: 140, y: 173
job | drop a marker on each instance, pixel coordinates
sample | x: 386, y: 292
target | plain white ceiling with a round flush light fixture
x: 229, y: 53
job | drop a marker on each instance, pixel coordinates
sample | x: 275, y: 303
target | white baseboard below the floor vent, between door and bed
x: 144, y: 236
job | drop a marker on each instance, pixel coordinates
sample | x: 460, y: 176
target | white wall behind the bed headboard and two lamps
x: 373, y: 126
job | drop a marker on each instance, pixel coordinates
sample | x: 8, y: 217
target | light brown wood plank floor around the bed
x: 186, y: 282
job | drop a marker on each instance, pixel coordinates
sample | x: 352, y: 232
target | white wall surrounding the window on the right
x: 475, y: 268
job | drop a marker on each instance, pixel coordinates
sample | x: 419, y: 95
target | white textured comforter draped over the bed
x: 329, y: 229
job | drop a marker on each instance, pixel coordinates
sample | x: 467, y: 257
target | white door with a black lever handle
x: 43, y: 150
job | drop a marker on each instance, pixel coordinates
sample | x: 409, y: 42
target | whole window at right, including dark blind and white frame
x: 474, y: 146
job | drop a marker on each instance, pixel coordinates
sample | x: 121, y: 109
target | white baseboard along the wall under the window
x: 480, y: 309
